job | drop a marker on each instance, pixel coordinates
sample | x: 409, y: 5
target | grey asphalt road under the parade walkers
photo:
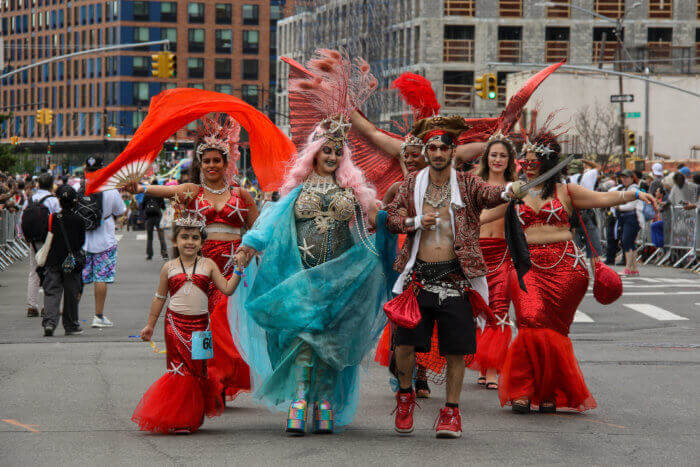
x: 68, y: 400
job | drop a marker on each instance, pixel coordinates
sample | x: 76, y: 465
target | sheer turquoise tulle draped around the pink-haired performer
x: 327, y: 317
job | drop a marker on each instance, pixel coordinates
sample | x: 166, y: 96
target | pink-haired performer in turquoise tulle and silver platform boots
x: 313, y: 310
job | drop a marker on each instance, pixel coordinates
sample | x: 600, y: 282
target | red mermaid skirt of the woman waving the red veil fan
x: 227, y: 365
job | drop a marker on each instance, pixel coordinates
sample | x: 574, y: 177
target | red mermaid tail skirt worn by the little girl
x: 184, y: 394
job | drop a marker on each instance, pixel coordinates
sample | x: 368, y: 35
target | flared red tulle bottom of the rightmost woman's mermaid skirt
x: 541, y: 367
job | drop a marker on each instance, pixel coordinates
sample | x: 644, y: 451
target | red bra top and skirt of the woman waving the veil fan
x: 227, y: 364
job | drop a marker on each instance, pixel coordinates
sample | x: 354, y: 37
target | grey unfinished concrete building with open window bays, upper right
x: 452, y: 42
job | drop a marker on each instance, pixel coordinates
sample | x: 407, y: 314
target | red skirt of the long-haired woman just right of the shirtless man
x: 492, y: 343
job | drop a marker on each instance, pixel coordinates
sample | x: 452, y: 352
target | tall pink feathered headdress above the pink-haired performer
x: 333, y: 86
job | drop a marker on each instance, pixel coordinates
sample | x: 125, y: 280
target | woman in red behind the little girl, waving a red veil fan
x: 228, y: 210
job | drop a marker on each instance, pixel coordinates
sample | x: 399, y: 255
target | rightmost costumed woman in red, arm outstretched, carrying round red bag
x: 540, y: 368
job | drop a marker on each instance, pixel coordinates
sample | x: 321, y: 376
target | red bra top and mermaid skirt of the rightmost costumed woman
x: 540, y: 364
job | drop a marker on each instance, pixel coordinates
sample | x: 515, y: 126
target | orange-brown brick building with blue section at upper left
x: 224, y: 46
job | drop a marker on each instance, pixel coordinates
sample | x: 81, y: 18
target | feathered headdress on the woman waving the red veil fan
x: 224, y: 137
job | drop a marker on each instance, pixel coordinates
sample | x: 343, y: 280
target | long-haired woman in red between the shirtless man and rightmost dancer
x: 497, y: 167
